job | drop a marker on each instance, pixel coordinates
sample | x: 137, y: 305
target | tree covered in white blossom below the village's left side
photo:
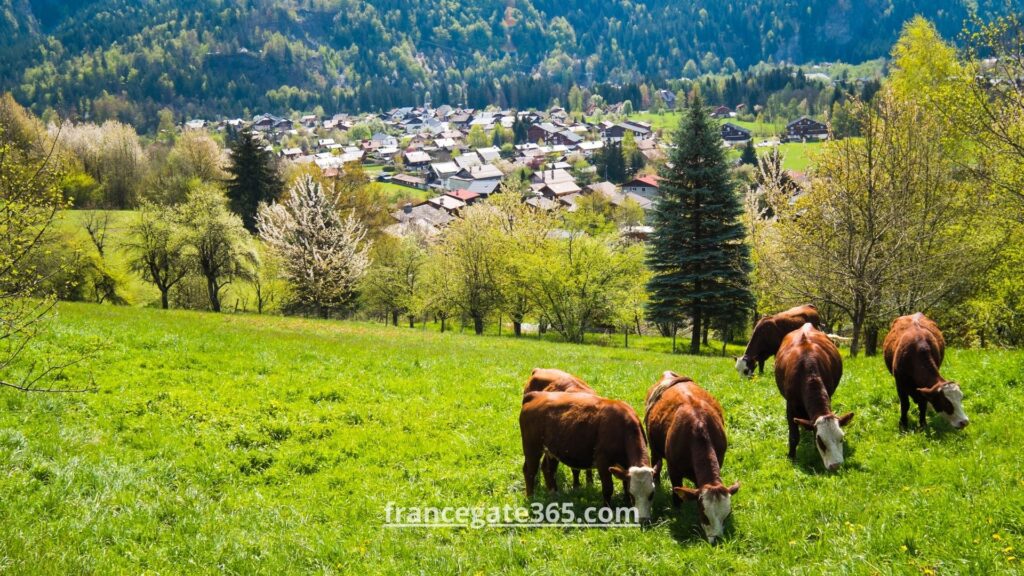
x: 323, y: 255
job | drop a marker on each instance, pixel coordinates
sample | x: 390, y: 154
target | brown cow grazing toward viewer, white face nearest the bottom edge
x: 686, y: 427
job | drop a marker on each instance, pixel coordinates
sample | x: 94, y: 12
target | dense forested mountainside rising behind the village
x: 129, y: 60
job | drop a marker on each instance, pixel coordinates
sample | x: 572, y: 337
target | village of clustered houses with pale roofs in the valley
x: 426, y: 156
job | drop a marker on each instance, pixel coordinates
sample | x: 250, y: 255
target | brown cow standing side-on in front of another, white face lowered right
x: 584, y: 431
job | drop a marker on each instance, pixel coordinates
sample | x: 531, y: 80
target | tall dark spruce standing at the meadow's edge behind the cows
x: 698, y: 255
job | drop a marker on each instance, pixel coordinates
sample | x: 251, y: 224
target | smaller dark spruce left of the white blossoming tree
x: 253, y: 179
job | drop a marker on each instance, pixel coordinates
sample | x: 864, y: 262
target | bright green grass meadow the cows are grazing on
x: 262, y: 445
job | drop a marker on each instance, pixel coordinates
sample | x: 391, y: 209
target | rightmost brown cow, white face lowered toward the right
x: 914, y: 351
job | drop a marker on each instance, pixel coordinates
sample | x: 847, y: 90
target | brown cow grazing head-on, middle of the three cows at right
x: 807, y: 371
